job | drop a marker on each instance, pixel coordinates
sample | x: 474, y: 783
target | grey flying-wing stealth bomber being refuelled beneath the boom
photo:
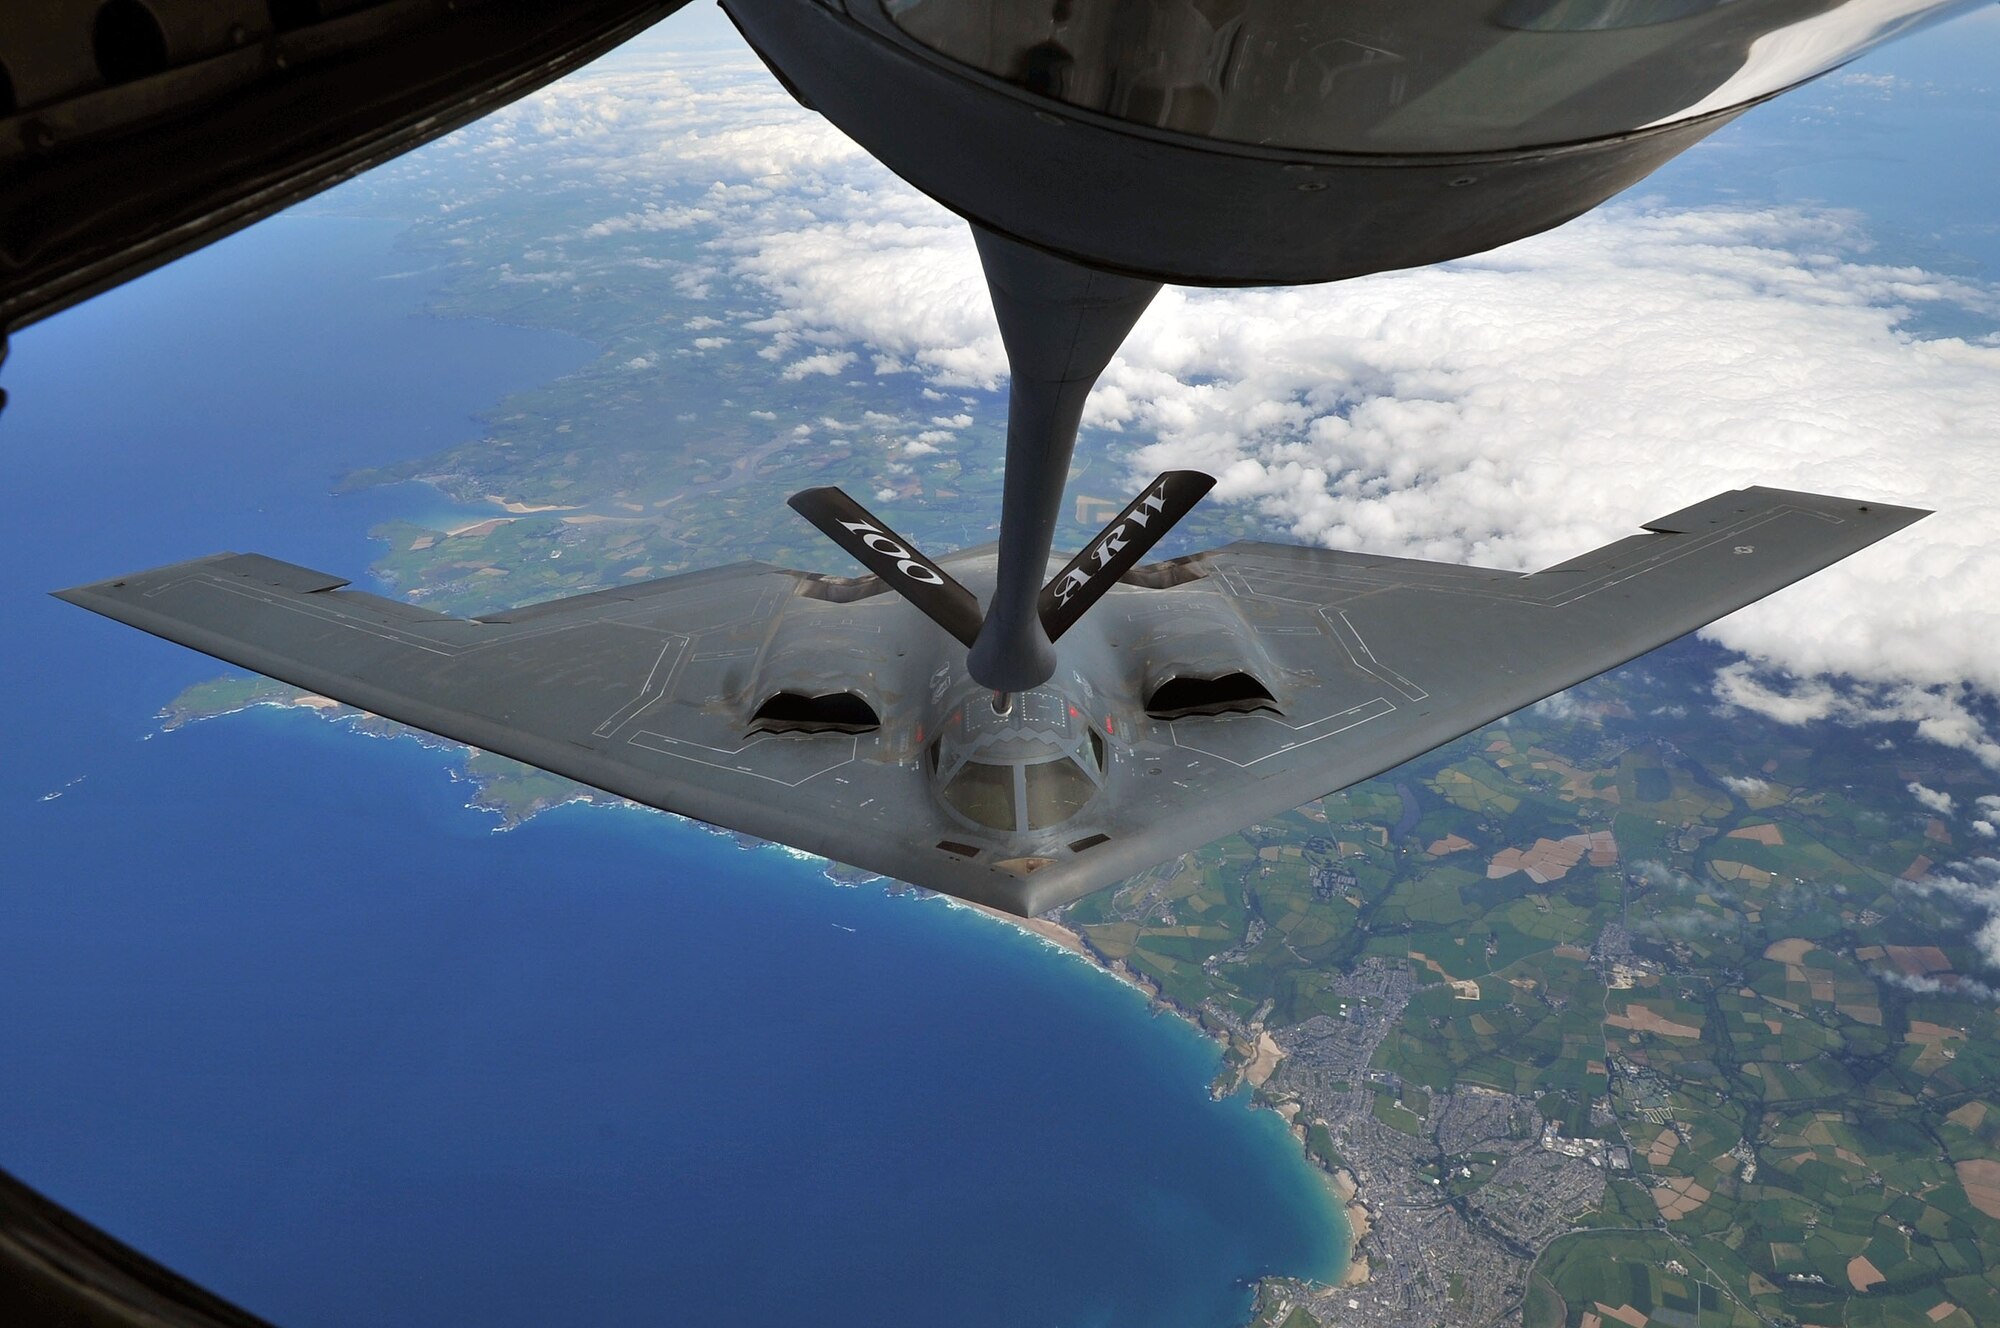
x: 835, y: 715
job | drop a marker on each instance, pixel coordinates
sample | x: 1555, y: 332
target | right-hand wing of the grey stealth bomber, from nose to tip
x: 1375, y: 661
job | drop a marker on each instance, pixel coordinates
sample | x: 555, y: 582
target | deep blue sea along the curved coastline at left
x: 289, y: 1017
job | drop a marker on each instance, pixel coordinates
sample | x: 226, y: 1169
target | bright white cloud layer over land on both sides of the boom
x: 1511, y: 409
